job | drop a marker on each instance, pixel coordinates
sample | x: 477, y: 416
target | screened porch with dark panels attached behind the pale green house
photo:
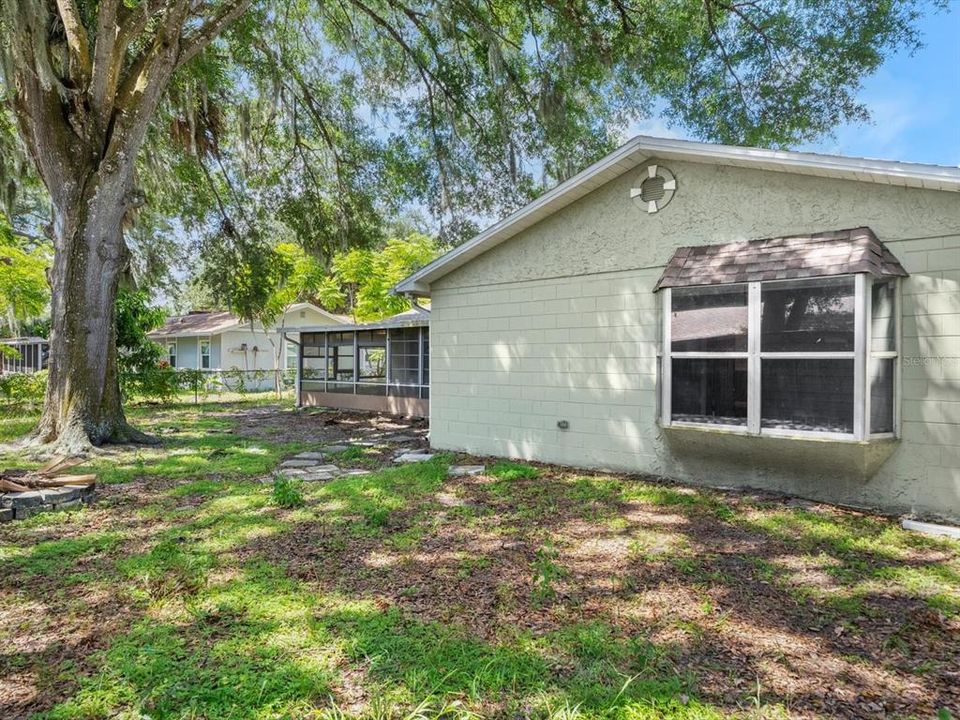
x: 382, y: 366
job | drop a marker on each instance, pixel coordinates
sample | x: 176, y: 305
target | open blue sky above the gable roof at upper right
x: 914, y: 102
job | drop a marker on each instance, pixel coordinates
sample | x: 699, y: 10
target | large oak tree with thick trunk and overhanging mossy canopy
x: 463, y: 106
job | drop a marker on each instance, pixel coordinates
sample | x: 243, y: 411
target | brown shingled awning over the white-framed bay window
x: 841, y: 252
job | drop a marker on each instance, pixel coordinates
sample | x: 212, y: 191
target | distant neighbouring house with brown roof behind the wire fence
x: 220, y: 341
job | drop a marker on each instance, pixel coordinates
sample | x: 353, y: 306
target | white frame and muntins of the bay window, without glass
x: 861, y: 355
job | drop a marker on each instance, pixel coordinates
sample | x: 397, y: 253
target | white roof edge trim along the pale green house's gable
x: 641, y: 148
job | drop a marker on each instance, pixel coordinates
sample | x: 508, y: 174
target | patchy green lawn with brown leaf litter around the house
x: 197, y: 588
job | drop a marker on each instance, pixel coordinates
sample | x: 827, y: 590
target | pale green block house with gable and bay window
x: 722, y: 315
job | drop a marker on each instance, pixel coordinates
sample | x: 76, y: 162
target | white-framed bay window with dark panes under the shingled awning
x: 806, y: 356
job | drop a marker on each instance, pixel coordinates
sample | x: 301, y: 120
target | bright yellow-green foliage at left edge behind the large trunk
x: 24, y: 291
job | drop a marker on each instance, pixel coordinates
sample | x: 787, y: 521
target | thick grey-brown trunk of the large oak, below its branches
x: 82, y: 404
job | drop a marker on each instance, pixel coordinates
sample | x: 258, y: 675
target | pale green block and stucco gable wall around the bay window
x: 561, y: 323
